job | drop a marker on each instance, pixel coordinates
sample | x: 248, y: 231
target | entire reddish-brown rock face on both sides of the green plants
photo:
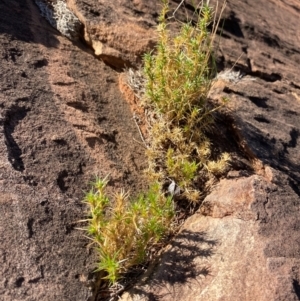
x: 63, y: 119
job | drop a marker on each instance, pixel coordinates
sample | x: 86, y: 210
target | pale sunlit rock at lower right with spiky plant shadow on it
x: 227, y: 251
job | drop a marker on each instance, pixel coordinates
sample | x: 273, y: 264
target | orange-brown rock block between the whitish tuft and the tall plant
x: 114, y: 32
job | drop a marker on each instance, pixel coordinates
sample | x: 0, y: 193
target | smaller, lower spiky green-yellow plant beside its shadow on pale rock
x: 124, y: 229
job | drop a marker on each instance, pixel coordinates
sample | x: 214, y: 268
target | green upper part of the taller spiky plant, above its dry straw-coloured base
x: 178, y: 75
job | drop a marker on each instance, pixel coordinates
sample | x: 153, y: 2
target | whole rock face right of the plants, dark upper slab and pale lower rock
x: 244, y: 243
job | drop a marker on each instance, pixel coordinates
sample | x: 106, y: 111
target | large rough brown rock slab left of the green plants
x: 62, y: 121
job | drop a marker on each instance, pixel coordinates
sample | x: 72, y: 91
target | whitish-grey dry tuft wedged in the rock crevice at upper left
x: 61, y: 17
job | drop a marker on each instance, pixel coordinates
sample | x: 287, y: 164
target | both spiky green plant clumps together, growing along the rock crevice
x: 177, y: 80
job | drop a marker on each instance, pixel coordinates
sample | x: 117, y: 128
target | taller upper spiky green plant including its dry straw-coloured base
x: 178, y: 77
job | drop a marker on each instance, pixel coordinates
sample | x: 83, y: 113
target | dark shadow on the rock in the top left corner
x: 17, y: 20
